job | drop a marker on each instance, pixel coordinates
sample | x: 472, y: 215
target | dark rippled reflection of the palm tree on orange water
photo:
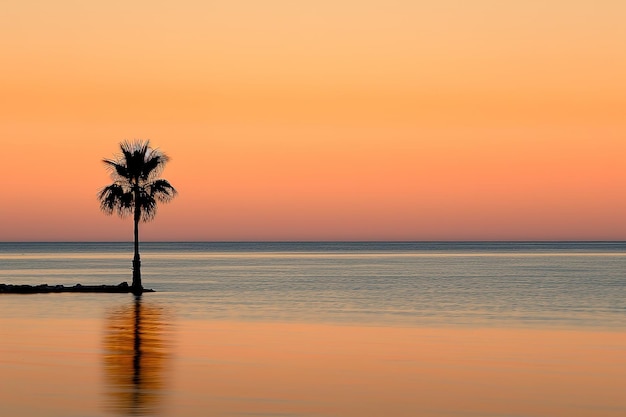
x: 137, y: 350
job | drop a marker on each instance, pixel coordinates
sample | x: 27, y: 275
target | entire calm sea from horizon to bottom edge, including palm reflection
x: 317, y: 329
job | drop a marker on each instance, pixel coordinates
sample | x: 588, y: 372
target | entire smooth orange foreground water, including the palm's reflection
x: 52, y: 367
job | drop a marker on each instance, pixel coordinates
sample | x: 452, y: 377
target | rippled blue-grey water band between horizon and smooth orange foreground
x: 457, y: 284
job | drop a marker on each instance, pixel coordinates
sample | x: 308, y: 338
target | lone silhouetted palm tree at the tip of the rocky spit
x: 135, y: 190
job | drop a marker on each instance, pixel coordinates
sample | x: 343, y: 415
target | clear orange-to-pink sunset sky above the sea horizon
x: 319, y: 120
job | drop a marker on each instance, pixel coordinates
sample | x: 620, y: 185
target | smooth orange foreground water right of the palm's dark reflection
x: 289, y: 369
